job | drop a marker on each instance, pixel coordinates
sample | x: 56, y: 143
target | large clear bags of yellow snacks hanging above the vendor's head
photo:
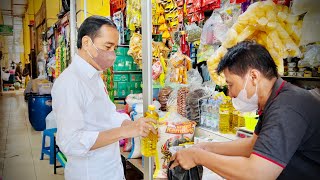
x: 268, y: 24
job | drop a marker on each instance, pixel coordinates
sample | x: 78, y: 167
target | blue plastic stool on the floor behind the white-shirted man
x: 50, y: 151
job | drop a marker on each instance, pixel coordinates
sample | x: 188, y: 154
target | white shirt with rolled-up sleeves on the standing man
x: 83, y: 109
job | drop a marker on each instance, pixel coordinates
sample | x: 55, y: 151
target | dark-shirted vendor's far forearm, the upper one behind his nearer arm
x: 240, y: 147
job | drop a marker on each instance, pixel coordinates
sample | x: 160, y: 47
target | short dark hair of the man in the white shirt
x: 91, y: 26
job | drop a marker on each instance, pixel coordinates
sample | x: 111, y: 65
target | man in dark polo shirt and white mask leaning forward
x: 286, y: 142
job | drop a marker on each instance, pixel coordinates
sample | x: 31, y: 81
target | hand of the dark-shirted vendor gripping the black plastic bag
x: 186, y: 158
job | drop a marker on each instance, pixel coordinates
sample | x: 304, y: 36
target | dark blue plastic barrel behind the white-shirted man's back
x: 39, y: 107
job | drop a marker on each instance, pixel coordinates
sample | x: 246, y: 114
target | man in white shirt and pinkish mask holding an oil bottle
x: 89, y: 127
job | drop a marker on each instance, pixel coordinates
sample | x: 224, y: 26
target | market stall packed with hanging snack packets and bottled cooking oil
x: 175, y: 42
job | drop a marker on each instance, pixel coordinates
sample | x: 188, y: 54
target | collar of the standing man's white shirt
x: 85, y: 67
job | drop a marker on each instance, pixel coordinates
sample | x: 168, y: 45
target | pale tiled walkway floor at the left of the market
x: 20, y: 144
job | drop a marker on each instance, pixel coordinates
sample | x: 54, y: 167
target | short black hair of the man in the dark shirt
x: 245, y: 55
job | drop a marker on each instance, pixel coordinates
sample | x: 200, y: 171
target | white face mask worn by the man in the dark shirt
x: 242, y: 103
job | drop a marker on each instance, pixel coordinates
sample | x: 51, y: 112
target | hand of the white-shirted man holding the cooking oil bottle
x: 141, y: 127
